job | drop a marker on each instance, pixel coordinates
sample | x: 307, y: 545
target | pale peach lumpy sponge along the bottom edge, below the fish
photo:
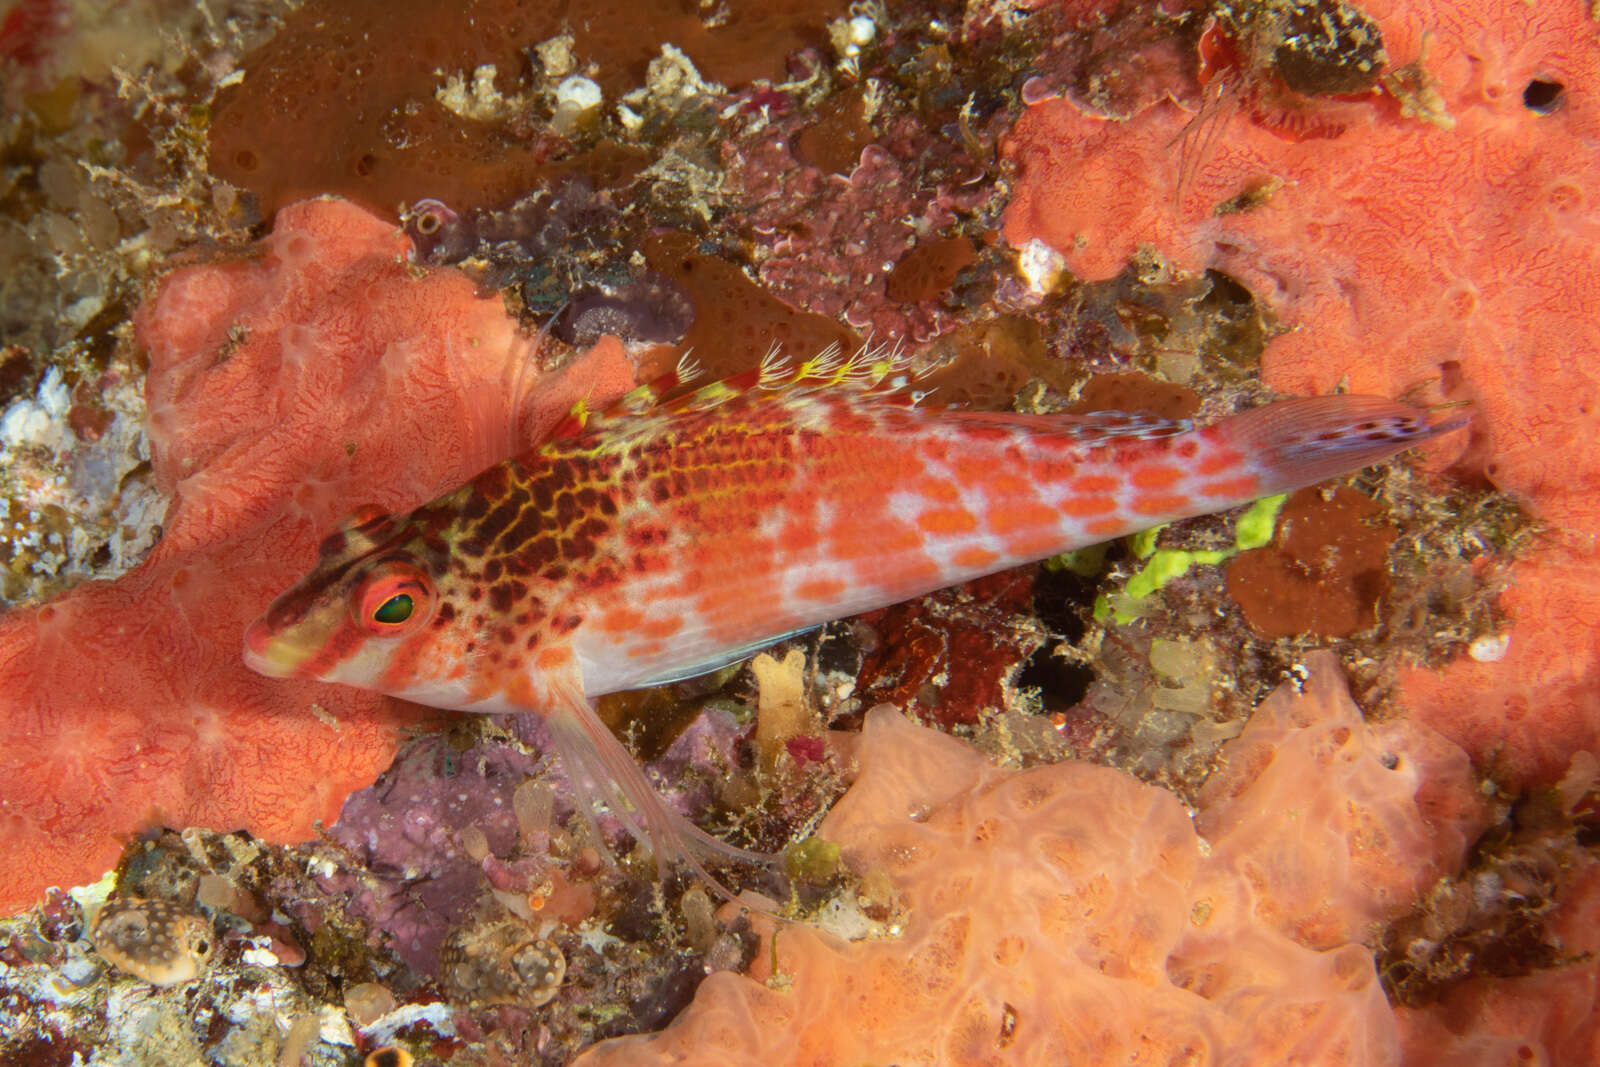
x: 1071, y: 914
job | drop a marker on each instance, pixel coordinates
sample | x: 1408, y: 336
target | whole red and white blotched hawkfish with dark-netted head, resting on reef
x: 666, y: 538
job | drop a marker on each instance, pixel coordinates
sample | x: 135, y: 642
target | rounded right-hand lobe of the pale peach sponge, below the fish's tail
x: 1377, y: 812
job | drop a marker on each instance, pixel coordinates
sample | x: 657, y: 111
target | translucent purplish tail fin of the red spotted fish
x: 1305, y: 441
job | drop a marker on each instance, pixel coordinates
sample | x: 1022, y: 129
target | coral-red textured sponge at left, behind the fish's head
x: 286, y: 390
